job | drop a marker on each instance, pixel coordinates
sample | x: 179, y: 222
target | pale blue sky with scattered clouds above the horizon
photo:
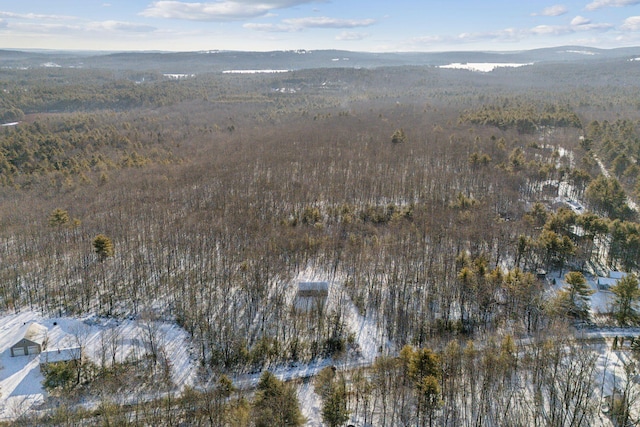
x: 358, y: 25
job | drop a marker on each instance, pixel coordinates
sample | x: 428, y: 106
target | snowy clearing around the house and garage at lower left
x: 20, y: 377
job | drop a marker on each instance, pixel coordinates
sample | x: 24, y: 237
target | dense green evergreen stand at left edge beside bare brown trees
x: 78, y: 149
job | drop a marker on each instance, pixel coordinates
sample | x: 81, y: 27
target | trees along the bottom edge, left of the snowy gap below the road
x: 273, y: 403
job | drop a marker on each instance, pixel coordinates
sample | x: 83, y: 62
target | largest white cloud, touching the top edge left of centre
x: 221, y: 10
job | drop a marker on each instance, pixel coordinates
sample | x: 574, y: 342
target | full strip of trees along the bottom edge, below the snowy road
x: 548, y: 380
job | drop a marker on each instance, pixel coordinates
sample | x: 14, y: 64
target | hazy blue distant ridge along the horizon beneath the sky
x: 217, y: 61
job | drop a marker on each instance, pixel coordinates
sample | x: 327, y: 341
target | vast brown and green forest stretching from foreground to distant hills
x: 437, y: 203
